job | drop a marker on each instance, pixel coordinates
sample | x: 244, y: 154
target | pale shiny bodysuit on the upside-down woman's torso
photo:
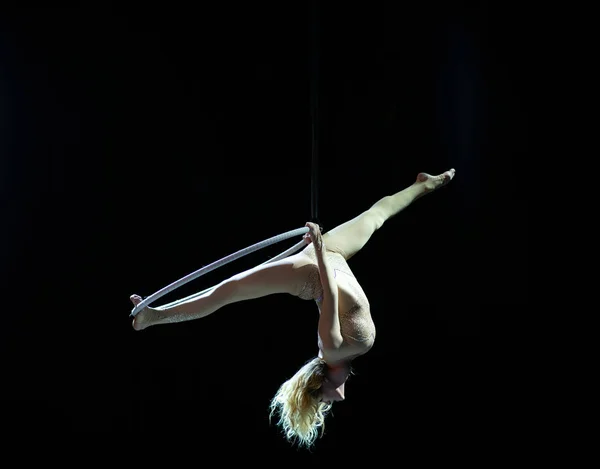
x: 356, y: 324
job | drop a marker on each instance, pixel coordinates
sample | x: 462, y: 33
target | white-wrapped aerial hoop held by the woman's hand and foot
x: 221, y: 262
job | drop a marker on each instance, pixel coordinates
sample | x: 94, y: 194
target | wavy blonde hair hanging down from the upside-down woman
x: 298, y: 404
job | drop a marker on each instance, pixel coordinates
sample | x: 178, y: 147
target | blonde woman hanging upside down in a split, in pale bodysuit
x: 319, y: 272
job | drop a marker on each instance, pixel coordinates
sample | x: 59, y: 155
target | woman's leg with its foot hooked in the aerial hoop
x: 284, y: 276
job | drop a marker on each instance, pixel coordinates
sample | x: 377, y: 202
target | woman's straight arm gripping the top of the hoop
x: 329, y: 321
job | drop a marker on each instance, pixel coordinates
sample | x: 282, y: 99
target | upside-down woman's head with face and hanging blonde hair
x: 303, y: 401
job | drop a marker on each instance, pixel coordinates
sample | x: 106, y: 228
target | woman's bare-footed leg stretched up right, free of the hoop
x: 350, y: 237
